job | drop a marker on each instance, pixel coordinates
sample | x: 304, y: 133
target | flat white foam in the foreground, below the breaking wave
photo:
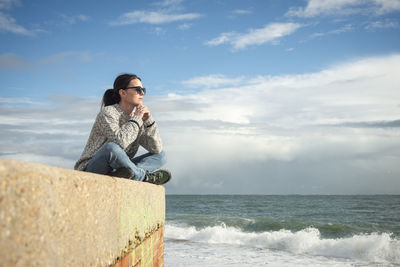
x: 196, y: 254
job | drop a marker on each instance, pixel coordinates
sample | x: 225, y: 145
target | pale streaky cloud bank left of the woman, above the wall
x: 49, y: 134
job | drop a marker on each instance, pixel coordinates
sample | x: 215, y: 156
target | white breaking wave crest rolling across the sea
x: 373, y: 247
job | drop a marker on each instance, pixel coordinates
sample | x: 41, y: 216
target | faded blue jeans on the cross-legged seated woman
x: 112, y: 157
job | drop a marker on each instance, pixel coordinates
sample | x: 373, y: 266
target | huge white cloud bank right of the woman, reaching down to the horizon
x: 286, y: 119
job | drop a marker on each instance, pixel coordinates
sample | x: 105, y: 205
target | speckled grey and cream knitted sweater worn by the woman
x: 113, y: 125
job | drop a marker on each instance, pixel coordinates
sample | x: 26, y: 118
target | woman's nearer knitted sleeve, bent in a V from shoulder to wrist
x: 124, y: 135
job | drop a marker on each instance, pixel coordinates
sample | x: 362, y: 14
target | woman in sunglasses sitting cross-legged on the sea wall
x: 122, y: 125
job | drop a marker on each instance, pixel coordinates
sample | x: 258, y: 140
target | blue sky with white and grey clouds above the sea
x: 250, y: 97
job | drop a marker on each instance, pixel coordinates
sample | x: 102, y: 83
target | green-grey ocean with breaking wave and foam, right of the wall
x: 293, y: 230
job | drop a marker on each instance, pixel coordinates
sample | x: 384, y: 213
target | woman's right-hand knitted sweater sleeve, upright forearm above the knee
x: 151, y: 139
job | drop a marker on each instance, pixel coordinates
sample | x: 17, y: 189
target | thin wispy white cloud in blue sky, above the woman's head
x: 152, y: 17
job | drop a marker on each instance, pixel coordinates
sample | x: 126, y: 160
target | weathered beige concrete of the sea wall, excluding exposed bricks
x: 51, y: 216
